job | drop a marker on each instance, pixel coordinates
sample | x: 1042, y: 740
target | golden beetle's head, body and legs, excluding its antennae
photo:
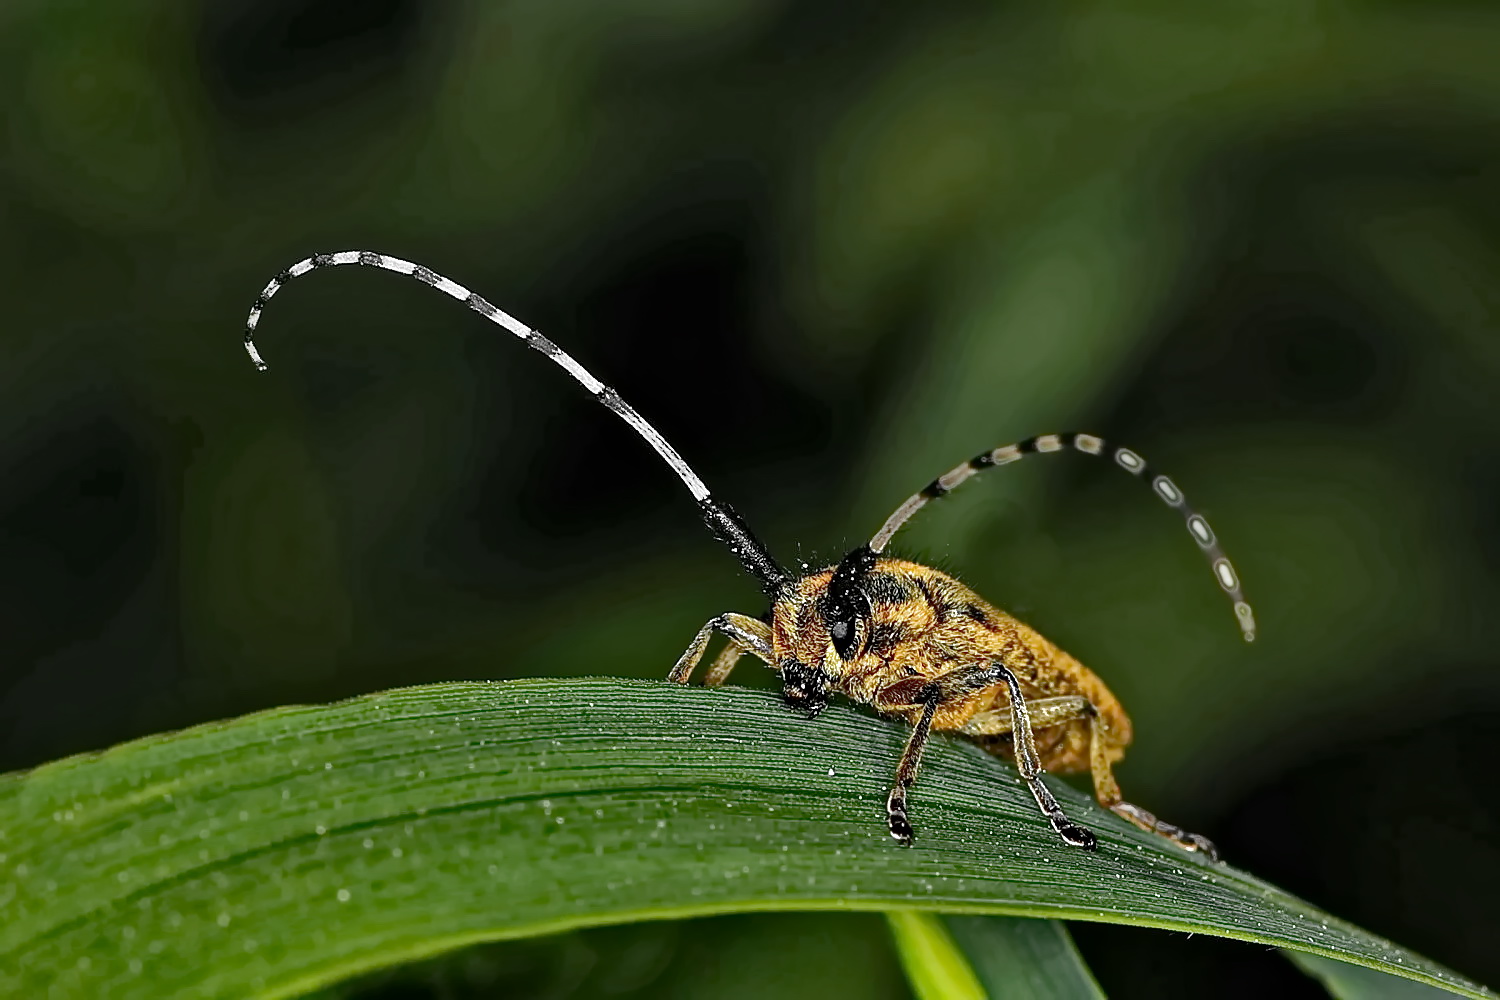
x: 916, y: 644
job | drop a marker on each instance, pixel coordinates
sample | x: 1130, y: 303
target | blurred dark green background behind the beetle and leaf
x: 830, y: 250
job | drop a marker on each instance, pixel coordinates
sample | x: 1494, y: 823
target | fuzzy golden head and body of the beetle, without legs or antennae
x: 926, y: 624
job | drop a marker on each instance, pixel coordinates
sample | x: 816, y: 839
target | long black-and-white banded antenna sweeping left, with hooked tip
x: 721, y: 516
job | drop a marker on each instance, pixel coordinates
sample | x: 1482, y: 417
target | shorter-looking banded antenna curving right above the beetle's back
x: 1124, y: 458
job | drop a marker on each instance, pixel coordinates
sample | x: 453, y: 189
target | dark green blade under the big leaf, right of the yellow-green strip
x: 1024, y: 960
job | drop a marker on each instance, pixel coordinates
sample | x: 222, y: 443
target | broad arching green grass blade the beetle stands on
x: 278, y: 852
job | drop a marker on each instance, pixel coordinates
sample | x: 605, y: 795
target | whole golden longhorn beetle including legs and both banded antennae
x: 899, y: 636
